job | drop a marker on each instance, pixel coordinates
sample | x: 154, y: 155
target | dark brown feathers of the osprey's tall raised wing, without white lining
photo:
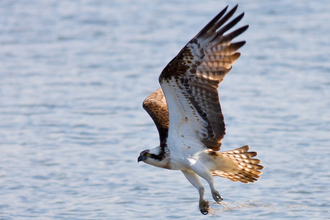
x: 200, y: 67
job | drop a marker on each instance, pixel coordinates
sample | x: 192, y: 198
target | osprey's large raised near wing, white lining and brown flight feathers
x: 191, y: 79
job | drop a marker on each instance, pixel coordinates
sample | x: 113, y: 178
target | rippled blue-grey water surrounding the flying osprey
x: 73, y: 75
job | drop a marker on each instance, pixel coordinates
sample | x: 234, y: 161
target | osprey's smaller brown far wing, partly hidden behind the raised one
x: 155, y: 105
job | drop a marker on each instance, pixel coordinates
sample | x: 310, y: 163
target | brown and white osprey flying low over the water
x: 186, y: 111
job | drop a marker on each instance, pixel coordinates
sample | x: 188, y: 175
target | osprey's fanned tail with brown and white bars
x: 238, y: 165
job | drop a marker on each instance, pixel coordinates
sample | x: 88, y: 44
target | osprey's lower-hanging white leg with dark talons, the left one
x: 194, y: 180
